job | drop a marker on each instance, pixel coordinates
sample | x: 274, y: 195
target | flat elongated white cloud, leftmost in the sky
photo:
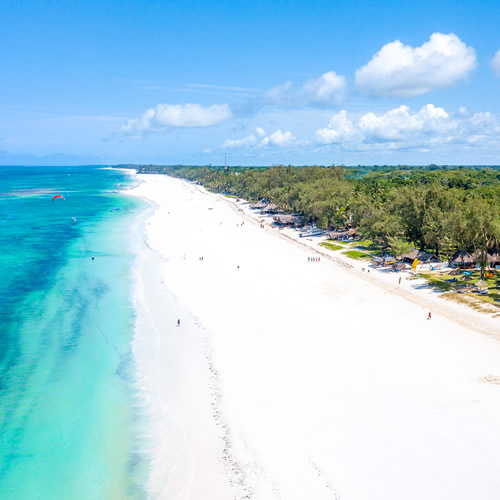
x: 166, y: 116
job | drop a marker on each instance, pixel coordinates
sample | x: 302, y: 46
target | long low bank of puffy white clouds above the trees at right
x: 399, y: 128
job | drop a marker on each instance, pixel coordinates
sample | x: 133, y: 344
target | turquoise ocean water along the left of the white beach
x: 67, y: 403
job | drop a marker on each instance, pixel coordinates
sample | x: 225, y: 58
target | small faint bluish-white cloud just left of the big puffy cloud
x: 326, y: 90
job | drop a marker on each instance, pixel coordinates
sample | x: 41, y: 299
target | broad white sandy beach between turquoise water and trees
x: 297, y: 380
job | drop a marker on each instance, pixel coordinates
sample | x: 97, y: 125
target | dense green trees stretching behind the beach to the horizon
x: 442, y: 209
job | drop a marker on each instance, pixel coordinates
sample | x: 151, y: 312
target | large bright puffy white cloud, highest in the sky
x: 399, y: 70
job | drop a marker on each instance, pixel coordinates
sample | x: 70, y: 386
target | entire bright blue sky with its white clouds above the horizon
x: 302, y: 82
